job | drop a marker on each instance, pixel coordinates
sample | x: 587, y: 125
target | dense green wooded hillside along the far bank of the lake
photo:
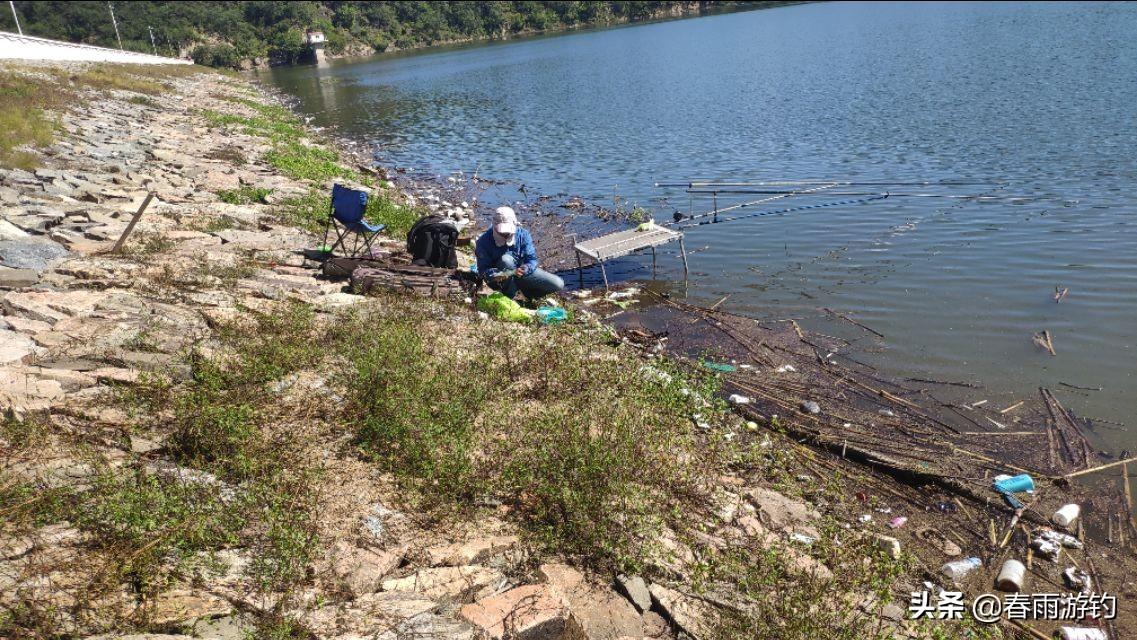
x: 234, y: 35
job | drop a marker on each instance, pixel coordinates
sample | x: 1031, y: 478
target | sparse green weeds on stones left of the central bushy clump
x: 238, y: 484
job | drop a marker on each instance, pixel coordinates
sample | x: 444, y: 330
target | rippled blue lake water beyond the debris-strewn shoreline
x: 1040, y: 98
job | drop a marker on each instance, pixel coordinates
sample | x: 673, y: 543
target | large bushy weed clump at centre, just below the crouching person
x: 590, y: 455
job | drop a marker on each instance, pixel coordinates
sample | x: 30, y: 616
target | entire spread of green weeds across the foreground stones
x: 583, y: 444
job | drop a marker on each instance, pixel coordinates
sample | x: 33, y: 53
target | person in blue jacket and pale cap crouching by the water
x: 508, y: 260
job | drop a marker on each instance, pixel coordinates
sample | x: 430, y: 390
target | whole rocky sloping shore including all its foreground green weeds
x: 198, y: 438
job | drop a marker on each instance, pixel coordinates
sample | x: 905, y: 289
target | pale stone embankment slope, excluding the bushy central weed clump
x: 96, y: 346
